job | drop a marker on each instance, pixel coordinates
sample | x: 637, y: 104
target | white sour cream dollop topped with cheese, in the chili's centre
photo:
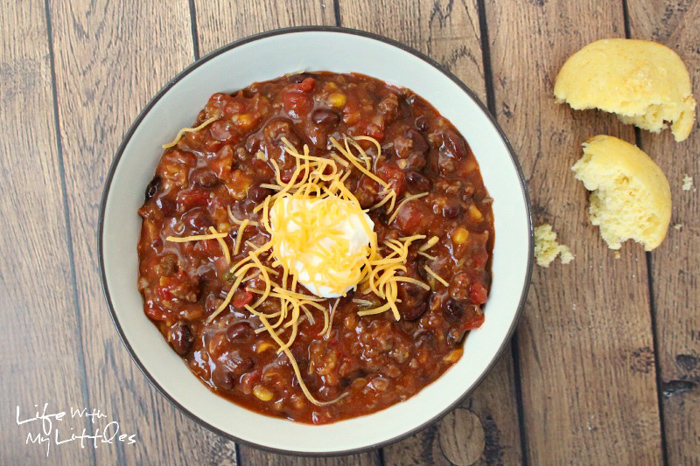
x: 331, y: 226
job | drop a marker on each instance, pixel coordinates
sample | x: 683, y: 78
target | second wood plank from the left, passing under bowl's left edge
x: 111, y: 58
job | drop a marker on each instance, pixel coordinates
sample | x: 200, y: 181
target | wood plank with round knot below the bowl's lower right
x: 485, y: 428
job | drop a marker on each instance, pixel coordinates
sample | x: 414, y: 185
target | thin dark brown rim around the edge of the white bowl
x: 263, y: 35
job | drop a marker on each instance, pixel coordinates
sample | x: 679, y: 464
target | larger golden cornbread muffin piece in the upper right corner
x: 646, y: 84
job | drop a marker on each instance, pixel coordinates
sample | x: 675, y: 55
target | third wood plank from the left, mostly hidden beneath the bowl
x: 219, y: 23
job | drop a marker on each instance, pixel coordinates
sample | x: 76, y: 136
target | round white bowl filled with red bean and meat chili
x: 453, y: 175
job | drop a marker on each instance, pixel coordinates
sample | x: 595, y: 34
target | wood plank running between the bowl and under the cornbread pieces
x: 585, y: 342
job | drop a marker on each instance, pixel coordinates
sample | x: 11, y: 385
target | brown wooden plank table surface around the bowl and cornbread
x: 604, y: 367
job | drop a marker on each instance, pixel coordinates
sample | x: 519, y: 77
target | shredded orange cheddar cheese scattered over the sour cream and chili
x: 302, y: 217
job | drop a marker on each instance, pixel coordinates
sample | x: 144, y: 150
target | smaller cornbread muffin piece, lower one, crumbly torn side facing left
x: 630, y: 198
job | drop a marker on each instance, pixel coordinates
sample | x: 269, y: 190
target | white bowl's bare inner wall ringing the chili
x: 264, y: 57
